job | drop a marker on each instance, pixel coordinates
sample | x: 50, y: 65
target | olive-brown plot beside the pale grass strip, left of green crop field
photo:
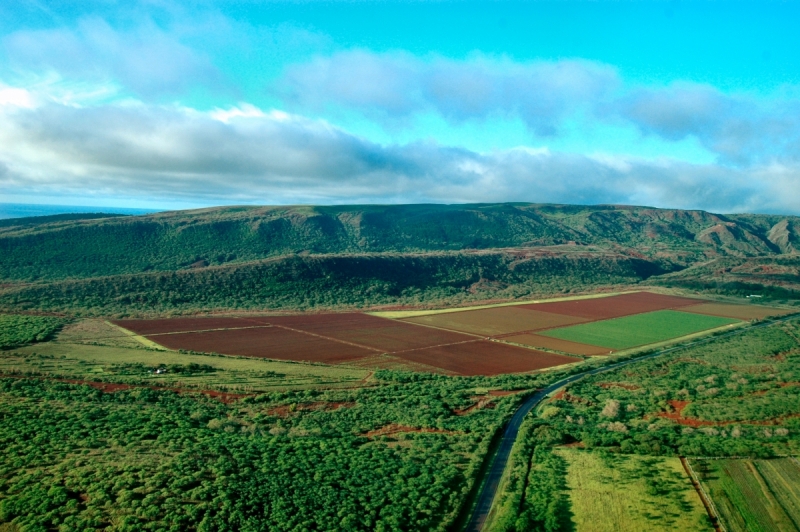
x: 494, y: 321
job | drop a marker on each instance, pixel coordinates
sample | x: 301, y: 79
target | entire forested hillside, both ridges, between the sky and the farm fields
x: 307, y: 257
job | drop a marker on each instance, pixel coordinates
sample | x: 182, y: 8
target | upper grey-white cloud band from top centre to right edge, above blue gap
x: 739, y: 129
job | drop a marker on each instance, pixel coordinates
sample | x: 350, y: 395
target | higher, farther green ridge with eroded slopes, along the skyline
x: 84, y: 248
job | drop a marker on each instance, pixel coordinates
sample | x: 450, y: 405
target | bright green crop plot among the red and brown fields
x: 640, y: 329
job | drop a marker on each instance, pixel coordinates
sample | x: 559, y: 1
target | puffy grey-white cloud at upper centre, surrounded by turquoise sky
x: 394, y: 86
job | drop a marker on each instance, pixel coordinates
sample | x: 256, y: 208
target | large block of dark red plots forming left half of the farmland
x: 346, y: 338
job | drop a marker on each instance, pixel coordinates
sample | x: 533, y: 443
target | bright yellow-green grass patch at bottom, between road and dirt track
x: 631, y: 493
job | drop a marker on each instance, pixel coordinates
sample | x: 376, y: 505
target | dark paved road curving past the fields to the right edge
x: 500, y: 459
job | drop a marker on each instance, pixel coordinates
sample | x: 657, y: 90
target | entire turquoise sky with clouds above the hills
x: 168, y: 105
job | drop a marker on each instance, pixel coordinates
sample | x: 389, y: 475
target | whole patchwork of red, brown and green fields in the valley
x: 480, y: 341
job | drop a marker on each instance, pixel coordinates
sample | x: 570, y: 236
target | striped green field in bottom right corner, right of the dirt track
x: 753, y: 495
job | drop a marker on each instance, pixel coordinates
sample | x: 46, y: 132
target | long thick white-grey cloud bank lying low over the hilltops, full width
x: 183, y: 155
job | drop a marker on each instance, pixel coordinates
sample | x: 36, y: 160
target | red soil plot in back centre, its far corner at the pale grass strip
x: 377, y: 333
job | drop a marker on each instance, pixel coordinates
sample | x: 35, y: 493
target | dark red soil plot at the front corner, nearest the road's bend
x: 484, y: 357
